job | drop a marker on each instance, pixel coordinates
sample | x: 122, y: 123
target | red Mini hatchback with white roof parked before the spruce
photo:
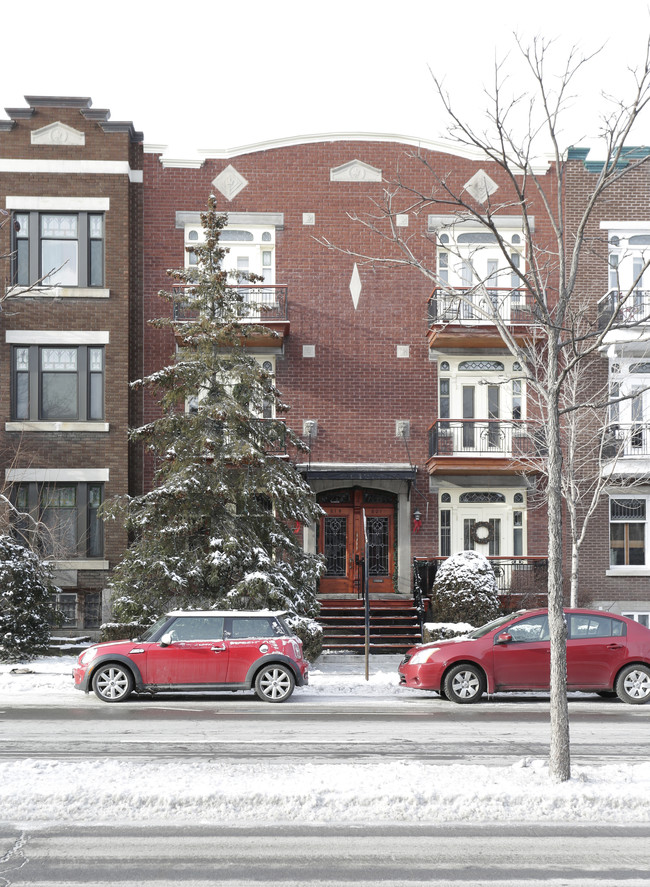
x: 199, y: 650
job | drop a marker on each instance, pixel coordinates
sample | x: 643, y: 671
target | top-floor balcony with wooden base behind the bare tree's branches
x: 464, y: 317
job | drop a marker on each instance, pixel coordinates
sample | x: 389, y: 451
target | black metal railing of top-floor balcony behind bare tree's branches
x: 479, y: 304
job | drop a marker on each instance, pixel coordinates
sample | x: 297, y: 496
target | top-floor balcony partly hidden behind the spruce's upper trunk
x: 264, y: 306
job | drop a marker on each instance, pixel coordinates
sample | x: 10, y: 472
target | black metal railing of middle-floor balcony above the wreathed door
x: 486, y: 437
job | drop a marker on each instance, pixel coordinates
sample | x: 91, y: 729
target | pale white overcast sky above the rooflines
x: 216, y: 74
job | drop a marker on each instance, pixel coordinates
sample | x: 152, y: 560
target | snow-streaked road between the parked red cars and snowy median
x: 225, y: 725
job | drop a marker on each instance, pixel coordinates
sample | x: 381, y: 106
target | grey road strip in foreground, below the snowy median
x: 308, y: 857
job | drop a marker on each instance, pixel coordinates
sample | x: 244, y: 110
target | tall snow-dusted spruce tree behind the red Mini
x: 221, y: 527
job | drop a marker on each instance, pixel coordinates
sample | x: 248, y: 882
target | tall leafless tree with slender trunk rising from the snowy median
x: 548, y: 291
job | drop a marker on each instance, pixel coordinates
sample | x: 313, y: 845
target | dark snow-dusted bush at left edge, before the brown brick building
x: 26, y: 591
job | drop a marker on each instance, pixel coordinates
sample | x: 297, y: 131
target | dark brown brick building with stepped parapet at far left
x: 71, y: 180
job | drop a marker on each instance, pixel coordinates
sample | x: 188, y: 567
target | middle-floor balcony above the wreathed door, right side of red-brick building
x: 484, y: 445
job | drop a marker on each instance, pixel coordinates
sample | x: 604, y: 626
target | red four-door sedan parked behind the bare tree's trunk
x: 606, y: 654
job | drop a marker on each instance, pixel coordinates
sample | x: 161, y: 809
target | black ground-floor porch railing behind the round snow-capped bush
x: 521, y: 581
